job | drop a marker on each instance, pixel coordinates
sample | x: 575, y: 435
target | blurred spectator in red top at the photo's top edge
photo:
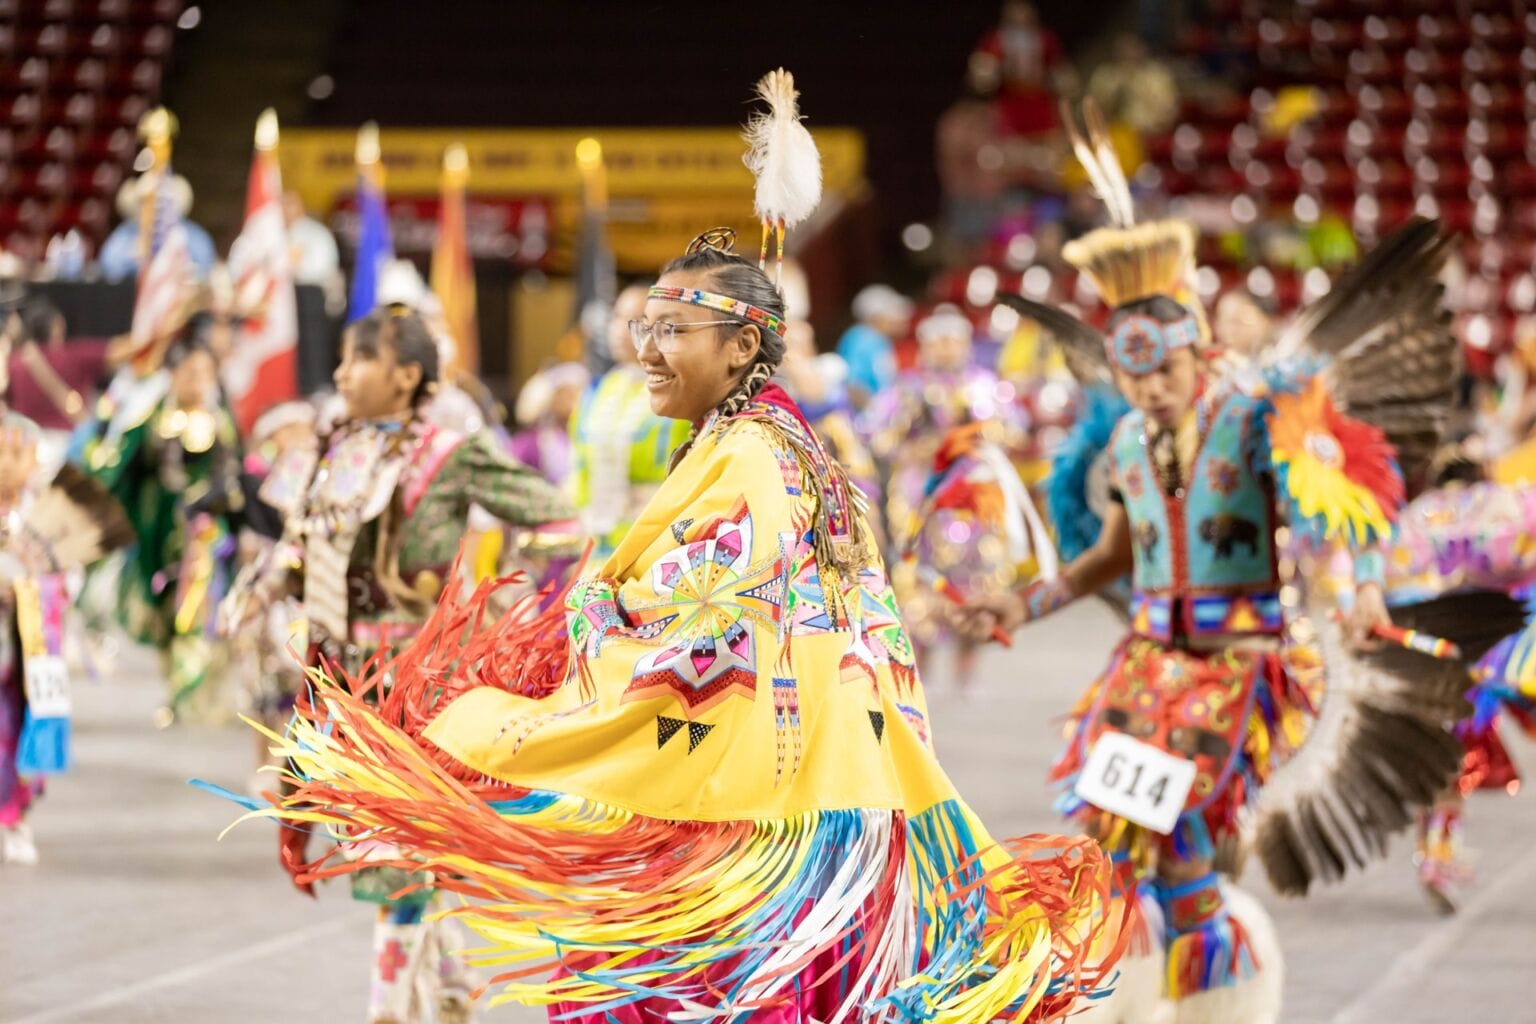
x: 1025, y: 65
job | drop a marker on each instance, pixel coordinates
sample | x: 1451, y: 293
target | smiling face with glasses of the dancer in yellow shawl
x: 703, y: 365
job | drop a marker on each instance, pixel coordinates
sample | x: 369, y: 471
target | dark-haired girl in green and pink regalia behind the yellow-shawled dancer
x: 372, y: 527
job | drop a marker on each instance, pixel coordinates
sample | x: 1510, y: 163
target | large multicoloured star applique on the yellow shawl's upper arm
x: 710, y: 603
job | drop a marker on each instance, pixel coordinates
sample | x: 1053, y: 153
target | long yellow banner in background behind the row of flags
x: 664, y: 185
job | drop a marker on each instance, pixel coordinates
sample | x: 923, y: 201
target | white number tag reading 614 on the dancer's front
x: 1136, y: 781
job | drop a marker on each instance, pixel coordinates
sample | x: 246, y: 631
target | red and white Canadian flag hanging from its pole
x: 263, y: 363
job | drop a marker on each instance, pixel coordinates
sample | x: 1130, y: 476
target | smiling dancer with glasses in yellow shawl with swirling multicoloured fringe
x: 712, y: 791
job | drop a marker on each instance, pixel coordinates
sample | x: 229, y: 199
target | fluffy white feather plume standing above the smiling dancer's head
x: 783, y: 156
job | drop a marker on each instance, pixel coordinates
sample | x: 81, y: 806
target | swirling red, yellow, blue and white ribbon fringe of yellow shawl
x: 910, y: 916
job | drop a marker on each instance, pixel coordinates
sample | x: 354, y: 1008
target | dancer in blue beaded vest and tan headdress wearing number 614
x: 1203, y: 477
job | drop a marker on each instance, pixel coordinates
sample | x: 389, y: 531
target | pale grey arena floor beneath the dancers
x: 141, y: 916
